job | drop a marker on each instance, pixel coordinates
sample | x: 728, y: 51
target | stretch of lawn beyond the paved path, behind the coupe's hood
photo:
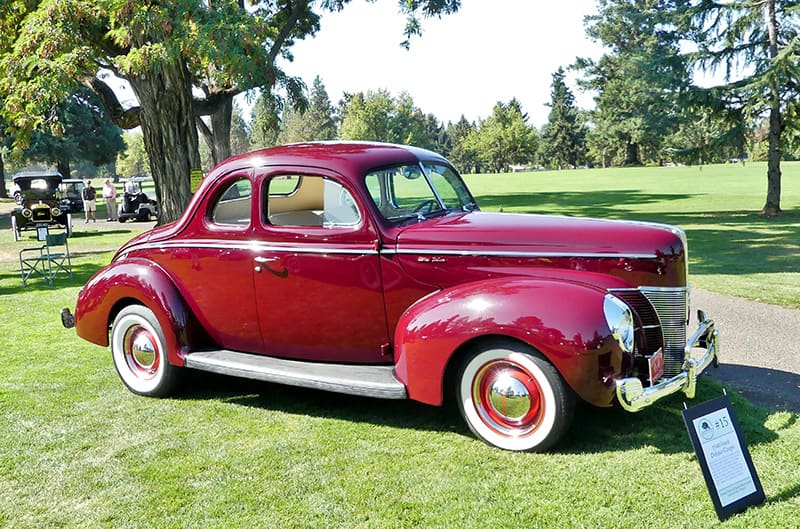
x: 732, y: 249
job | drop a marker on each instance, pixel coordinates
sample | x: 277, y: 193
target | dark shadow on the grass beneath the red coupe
x: 595, y: 430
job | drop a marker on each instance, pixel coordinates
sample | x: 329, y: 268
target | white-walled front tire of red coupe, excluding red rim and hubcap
x: 545, y: 433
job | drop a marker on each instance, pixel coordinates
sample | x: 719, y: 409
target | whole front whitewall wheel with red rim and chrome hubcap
x: 511, y: 397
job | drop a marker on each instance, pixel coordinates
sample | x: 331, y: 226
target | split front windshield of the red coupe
x: 417, y: 191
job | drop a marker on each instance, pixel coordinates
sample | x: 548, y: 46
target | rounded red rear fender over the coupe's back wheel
x: 133, y: 280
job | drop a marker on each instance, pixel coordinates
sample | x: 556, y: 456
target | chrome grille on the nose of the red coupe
x: 671, y: 310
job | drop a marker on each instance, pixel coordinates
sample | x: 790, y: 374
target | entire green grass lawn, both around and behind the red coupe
x: 79, y: 450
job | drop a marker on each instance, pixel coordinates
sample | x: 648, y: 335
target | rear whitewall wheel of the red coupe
x: 139, y: 351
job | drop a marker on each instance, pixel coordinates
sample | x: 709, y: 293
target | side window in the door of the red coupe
x: 311, y: 201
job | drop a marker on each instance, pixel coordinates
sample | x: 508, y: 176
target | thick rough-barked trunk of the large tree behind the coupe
x: 170, y: 136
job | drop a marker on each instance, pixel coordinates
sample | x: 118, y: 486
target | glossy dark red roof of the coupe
x: 349, y: 158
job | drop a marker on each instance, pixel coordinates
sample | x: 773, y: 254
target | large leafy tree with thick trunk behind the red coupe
x: 164, y: 50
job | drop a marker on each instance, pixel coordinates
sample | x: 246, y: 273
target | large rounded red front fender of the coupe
x: 562, y: 320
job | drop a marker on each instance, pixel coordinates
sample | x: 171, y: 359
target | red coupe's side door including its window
x: 316, y: 271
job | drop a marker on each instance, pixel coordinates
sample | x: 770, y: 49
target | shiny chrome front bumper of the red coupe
x: 634, y: 397
